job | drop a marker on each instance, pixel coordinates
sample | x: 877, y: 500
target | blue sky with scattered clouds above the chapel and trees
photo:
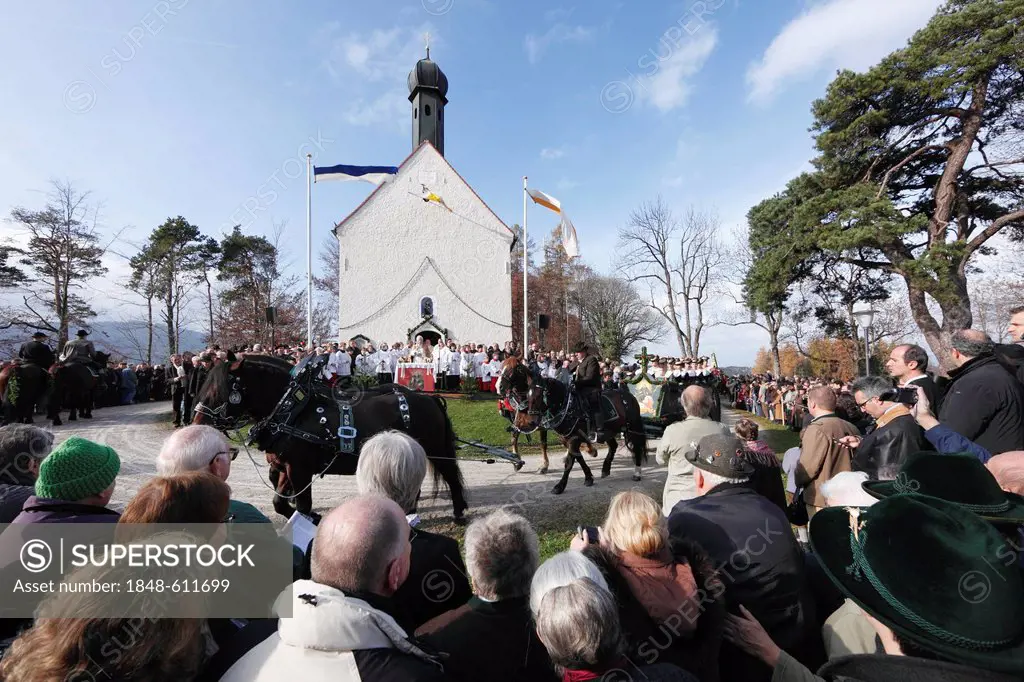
x: 203, y: 108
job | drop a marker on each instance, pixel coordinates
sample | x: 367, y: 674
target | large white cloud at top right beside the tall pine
x: 836, y: 34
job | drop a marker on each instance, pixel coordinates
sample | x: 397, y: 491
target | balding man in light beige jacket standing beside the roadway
x: 680, y: 439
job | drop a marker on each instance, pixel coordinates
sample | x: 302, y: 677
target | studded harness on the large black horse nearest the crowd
x: 304, y: 390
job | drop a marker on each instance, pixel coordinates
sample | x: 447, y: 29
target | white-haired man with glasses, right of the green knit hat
x: 201, y: 448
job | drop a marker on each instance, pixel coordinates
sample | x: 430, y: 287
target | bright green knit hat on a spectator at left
x: 77, y: 470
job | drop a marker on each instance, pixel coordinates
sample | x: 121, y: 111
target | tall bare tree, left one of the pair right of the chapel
x: 648, y: 247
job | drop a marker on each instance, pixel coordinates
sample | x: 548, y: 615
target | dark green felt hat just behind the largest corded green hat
x: 961, y: 479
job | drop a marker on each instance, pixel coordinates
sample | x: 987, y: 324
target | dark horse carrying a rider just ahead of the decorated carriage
x: 552, y: 405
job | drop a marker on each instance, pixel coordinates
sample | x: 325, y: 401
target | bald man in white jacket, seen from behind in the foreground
x: 342, y: 628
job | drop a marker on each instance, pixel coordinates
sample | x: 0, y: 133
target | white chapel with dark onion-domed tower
x: 423, y: 254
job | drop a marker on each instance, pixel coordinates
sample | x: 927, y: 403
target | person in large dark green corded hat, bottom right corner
x: 932, y: 578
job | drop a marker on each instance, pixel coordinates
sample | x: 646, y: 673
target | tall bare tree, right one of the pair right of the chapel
x: 699, y: 273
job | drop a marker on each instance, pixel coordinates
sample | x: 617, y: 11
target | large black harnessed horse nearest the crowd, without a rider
x: 249, y: 392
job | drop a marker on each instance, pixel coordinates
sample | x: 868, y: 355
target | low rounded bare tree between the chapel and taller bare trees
x: 615, y: 315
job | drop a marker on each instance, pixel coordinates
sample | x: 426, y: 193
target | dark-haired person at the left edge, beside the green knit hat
x: 23, y: 448
